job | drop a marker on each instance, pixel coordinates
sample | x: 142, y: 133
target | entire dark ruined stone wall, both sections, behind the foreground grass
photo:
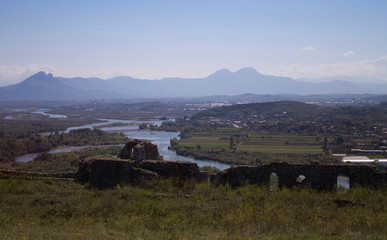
x: 141, y: 160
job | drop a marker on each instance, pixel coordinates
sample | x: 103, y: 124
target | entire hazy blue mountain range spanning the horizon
x: 42, y: 86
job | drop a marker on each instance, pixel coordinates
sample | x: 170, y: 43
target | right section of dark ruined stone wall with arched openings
x: 318, y: 176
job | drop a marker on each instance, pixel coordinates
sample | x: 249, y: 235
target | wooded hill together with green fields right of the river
x: 279, y: 131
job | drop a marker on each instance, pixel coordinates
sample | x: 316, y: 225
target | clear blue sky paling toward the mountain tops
x: 157, y: 39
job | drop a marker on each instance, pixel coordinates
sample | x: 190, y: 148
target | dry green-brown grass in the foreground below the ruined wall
x: 165, y: 209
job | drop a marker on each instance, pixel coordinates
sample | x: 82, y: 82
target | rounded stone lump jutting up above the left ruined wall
x: 139, y: 150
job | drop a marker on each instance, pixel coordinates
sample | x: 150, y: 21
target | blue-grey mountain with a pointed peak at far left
x: 41, y: 86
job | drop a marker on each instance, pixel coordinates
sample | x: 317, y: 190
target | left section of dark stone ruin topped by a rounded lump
x: 138, y: 159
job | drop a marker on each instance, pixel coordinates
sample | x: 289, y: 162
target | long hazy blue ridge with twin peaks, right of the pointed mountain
x: 222, y: 82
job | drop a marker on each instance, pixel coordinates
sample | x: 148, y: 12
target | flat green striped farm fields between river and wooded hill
x: 204, y: 143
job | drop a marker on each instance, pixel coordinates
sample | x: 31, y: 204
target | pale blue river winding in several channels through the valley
x: 160, y: 138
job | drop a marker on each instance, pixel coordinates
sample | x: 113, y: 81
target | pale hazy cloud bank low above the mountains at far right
x: 376, y: 68
